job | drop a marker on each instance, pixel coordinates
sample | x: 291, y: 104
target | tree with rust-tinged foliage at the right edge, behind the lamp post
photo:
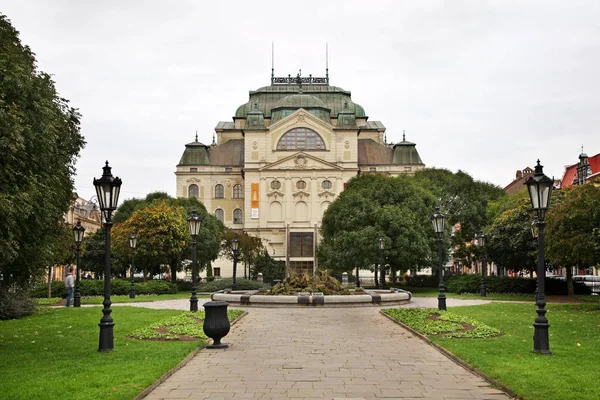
x: 572, y: 228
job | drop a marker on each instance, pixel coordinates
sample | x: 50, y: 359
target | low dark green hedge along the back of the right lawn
x: 507, y: 284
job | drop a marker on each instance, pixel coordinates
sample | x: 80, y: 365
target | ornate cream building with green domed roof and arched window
x: 288, y: 153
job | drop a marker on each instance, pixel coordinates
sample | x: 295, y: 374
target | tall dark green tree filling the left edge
x: 39, y: 143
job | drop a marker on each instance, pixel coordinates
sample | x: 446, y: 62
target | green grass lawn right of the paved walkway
x: 571, y: 372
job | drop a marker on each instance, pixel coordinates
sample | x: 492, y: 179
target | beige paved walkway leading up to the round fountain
x: 323, y: 353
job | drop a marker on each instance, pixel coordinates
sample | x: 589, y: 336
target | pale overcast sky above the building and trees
x: 486, y: 87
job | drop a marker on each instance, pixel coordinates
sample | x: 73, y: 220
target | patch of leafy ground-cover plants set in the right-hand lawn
x: 432, y: 322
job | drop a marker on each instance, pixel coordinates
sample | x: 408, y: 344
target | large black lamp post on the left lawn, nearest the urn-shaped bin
x: 107, y: 190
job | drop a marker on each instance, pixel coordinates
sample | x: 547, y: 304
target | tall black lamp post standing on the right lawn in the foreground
x: 540, y: 191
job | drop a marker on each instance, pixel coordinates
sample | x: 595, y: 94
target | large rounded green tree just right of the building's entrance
x: 376, y: 206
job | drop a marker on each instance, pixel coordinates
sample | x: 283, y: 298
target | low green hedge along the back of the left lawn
x: 96, y: 288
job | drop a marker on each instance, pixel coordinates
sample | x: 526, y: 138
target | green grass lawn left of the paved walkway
x: 53, y: 354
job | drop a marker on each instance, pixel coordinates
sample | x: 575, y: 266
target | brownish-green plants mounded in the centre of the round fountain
x: 321, y: 282
